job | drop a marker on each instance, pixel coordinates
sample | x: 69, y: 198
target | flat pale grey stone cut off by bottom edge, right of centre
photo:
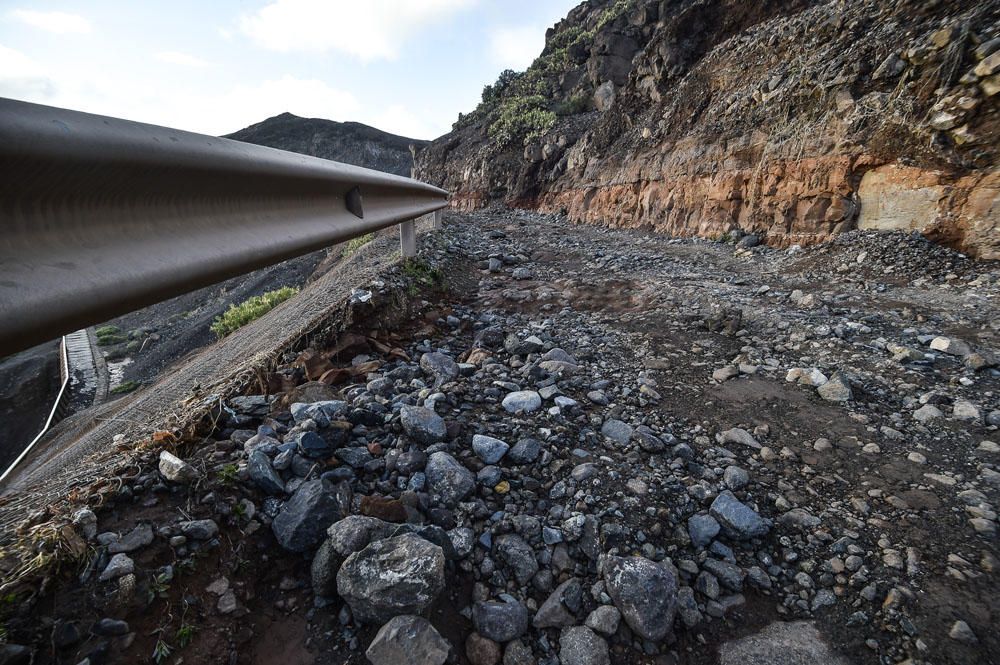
x: 781, y: 643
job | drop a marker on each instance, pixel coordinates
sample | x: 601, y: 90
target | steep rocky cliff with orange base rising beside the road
x: 794, y: 120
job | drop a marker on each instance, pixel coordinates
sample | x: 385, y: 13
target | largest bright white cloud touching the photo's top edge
x: 367, y: 29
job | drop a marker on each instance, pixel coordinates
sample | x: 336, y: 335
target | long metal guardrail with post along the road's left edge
x: 101, y: 216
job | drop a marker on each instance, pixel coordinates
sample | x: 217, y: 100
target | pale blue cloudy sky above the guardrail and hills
x: 405, y: 66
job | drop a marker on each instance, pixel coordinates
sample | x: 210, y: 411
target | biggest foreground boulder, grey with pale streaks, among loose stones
x: 401, y: 575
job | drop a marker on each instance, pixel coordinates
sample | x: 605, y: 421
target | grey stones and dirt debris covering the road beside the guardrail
x: 584, y: 446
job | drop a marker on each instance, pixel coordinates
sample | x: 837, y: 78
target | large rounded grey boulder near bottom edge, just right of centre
x: 644, y: 592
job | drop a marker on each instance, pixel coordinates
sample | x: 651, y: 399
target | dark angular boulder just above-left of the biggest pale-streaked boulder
x: 302, y: 521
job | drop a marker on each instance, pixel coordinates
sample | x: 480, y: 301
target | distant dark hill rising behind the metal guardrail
x: 348, y: 142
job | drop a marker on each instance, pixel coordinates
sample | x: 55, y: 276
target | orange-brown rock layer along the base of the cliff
x: 788, y: 202
